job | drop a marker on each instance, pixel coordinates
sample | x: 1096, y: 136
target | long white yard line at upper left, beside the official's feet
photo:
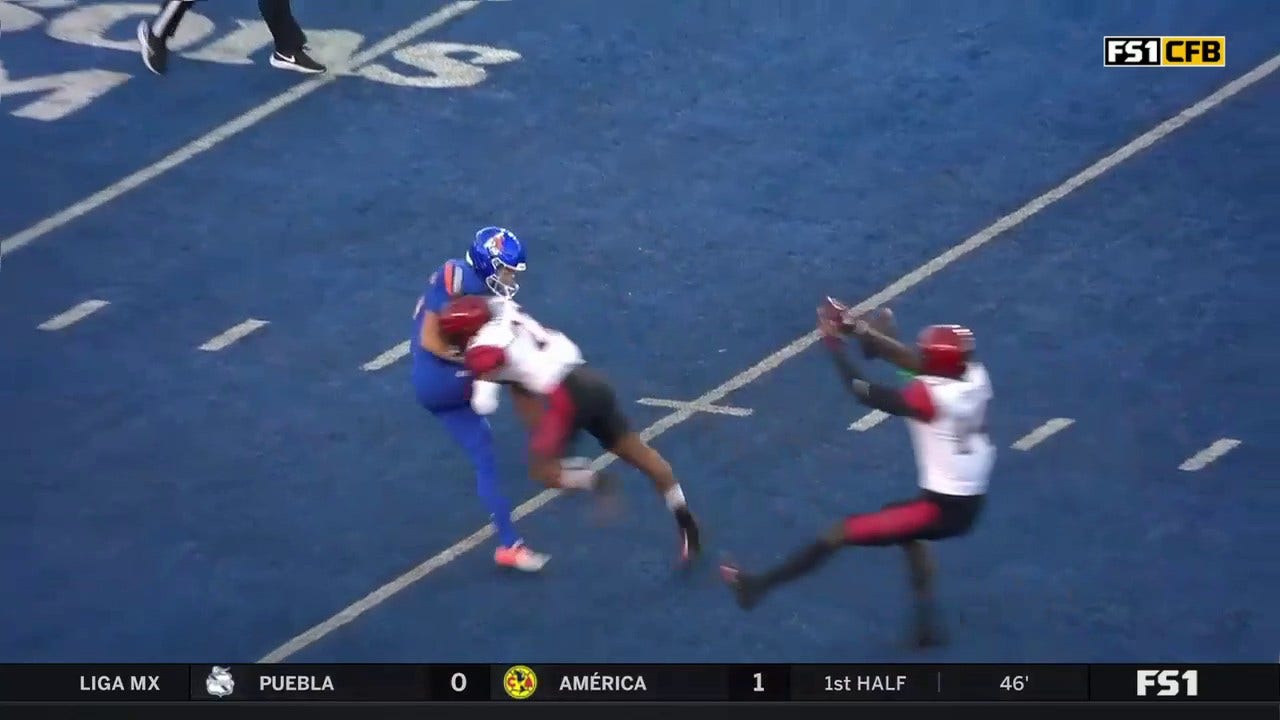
x: 230, y: 129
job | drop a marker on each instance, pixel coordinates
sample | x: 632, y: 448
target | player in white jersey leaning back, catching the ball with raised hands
x: 945, y: 409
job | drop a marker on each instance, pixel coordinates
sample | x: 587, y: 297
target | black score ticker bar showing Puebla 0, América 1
x: 642, y: 683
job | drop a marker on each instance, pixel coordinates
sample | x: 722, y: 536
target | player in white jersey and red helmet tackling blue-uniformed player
x: 504, y: 345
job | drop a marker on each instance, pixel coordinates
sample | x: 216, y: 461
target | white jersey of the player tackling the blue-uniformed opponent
x: 537, y: 358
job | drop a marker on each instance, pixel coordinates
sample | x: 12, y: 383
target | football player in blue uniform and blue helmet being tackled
x: 446, y: 389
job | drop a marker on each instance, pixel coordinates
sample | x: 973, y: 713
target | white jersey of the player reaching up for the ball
x: 953, y: 452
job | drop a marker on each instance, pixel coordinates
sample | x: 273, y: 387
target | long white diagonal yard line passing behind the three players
x: 749, y: 376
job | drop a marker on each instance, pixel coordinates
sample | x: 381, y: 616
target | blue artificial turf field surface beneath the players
x: 692, y: 177
